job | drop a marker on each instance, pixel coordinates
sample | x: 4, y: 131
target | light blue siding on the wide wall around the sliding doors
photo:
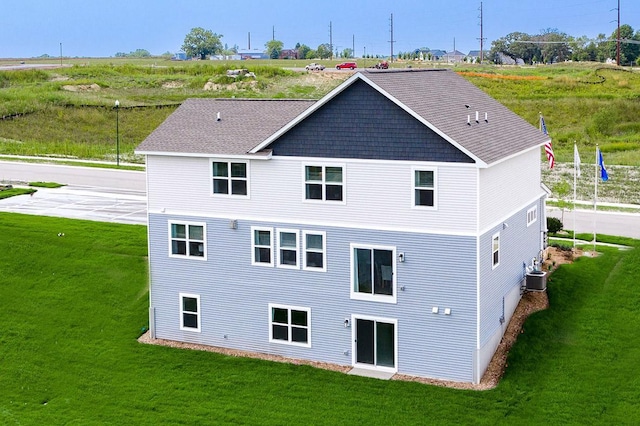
x: 234, y: 295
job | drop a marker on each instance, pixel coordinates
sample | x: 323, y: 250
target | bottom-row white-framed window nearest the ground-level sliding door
x: 290, y: 325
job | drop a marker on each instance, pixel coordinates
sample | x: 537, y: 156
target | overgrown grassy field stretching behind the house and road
x: 69, y: 112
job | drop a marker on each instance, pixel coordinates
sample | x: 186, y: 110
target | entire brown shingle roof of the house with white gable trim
x: 440, y: 99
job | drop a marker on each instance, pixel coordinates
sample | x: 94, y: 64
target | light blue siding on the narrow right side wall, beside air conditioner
x: 500, y: 286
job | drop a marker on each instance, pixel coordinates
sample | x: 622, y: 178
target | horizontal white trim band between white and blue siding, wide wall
x: 302, y: 223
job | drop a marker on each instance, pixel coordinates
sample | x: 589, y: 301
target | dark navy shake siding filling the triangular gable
x: 362, y: 123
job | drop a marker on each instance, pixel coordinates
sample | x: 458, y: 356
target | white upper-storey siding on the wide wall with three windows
x: 377, y: 192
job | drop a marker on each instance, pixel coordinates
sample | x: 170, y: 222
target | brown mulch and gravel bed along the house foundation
x: 530, y: 303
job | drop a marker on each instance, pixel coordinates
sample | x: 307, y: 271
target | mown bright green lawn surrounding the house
x: 72, y: 307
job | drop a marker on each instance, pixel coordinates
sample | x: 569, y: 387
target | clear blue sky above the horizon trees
x: 87, y: 28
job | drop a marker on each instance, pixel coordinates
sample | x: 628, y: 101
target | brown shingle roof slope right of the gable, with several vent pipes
x: 440, y: 97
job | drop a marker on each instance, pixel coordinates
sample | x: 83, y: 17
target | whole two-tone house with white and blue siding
x: 386, y: 226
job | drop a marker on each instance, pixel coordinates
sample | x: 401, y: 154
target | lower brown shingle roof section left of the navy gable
x: 244, y: 123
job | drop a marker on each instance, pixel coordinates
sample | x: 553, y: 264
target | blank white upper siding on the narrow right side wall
x: 506, y: 187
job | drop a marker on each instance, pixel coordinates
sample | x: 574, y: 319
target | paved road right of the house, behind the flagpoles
x: 610, y: 223
